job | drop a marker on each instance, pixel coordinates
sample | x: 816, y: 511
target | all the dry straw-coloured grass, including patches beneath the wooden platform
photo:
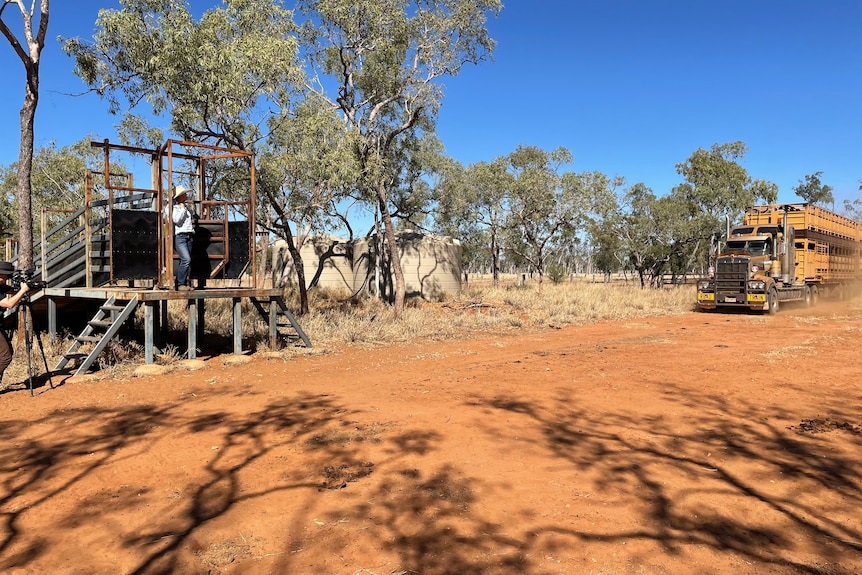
x: 338, y: 320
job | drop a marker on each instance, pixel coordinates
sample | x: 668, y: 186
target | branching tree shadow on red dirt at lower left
x: 44, y: 468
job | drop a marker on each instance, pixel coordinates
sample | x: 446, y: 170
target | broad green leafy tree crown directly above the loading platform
x: 216, y: 78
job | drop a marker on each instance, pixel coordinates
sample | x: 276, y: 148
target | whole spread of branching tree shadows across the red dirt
x: 428, y: 517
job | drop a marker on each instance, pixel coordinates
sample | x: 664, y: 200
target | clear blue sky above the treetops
x: 630, y: 87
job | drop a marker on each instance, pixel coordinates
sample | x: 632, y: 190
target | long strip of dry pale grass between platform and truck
x: 335, y: 321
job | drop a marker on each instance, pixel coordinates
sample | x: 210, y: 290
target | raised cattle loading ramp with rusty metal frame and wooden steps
x: 113, y: 252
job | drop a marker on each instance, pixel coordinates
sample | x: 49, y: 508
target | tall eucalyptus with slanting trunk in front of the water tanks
x: 380, y: 63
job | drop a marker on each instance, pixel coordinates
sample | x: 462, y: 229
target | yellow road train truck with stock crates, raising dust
x: 784, y: 253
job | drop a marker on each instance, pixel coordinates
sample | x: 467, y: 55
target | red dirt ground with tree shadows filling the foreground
x: 695, y: 444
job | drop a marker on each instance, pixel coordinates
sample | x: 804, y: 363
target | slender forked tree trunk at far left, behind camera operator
x: 29, y: 51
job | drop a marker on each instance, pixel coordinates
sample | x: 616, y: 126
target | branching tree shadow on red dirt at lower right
x: 728, y: 454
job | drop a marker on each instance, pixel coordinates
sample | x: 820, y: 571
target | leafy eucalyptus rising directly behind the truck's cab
x: 716, y: 186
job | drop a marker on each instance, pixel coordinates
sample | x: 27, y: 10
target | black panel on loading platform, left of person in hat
x: 135, y: 244
